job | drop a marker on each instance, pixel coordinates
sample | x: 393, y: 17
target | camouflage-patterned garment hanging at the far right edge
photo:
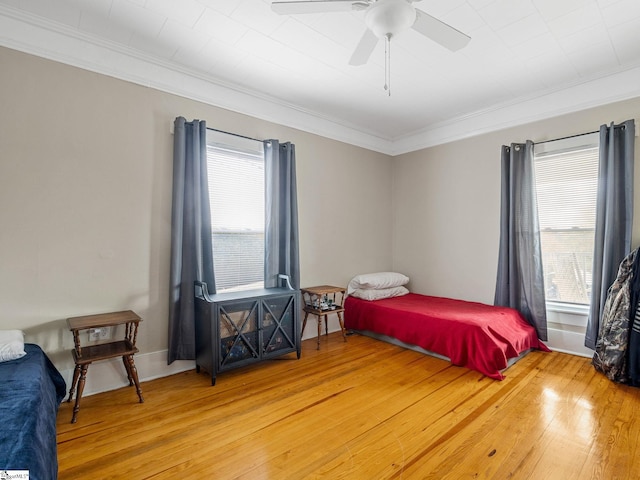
x: 610, y: 355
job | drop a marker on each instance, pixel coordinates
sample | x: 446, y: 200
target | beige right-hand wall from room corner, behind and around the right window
x: 446, y: 204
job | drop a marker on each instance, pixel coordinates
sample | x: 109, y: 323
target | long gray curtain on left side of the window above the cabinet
x: 191, y: 249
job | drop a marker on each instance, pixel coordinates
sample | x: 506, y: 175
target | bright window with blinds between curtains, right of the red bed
x: 566, y: 174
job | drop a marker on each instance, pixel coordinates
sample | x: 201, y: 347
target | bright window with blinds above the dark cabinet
x: 236, y: 193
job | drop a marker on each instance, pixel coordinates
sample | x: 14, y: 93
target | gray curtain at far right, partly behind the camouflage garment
x: 614, y: 216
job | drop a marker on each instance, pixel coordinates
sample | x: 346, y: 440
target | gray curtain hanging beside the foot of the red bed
x: 520, y: 279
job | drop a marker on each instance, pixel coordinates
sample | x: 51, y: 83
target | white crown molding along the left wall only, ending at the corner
x: 54, y: 41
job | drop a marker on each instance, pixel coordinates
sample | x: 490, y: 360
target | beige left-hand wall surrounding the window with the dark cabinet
x: 85, y: 200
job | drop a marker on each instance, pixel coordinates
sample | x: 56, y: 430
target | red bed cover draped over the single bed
x: 474, y: 335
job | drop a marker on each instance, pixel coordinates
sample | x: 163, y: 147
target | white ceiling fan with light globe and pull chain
x: 384, y: 19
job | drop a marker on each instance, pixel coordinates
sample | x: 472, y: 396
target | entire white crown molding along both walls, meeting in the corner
x: 54, y: 41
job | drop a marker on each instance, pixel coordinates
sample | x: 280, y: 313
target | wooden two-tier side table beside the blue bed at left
x: 84, y: 356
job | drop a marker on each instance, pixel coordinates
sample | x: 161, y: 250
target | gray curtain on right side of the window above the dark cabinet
x: 281, y: 227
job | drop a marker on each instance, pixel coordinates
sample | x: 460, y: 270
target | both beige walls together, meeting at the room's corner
x: 85, y: 201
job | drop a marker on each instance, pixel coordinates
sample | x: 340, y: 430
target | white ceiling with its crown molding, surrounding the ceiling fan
x: 527, y: 59
